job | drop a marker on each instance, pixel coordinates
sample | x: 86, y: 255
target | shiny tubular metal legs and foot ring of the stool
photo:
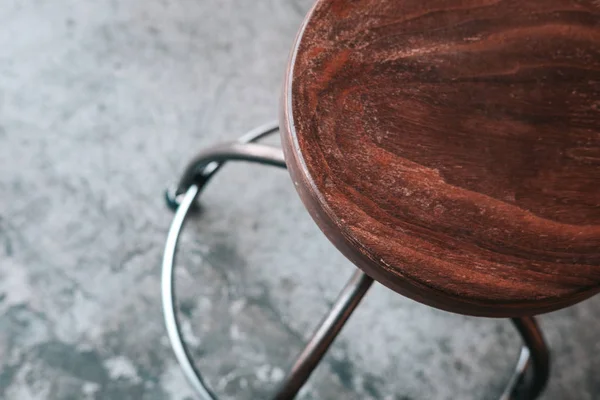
x: 532, y: 369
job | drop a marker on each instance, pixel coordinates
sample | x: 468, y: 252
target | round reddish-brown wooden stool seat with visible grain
x: 451, y: 149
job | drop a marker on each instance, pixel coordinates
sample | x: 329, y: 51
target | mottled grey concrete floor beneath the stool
x: 101, y: 104
